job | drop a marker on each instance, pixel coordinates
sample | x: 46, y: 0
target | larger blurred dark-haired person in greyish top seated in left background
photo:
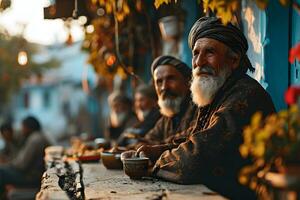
x: 28, y: 166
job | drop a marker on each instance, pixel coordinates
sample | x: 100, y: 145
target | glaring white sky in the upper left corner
x: 26, y: 17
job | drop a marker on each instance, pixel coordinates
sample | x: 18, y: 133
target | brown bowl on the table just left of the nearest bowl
x: 111, y: 160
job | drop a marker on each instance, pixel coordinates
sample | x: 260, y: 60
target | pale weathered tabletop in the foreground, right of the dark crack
x: 100, y: 183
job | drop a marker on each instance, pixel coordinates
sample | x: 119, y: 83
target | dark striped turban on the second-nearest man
x: 180, y: 66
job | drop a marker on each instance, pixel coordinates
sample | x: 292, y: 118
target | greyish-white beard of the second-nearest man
x: 169, y: 107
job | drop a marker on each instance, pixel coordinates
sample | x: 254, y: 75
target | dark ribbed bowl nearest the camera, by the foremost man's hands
x: 136, y: 167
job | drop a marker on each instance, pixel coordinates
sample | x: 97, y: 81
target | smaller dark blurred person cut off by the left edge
x: 11, y: 145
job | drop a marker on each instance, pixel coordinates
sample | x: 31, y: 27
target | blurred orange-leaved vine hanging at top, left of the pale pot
x: 119, y: 39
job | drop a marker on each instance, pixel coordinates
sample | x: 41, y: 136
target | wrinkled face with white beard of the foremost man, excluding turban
x: 212, y: 64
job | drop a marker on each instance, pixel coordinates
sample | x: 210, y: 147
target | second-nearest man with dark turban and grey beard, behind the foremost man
x: 171, y: 80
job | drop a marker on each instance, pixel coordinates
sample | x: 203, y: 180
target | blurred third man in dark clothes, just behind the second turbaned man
x: 146, y: 109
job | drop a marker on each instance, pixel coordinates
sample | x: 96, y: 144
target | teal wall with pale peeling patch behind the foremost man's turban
x: 268, y: 36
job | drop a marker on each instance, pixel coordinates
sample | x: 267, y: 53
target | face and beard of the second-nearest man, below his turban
x: 171, y: 87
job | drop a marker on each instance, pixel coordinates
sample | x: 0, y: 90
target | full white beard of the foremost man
x: 204, y: 88
